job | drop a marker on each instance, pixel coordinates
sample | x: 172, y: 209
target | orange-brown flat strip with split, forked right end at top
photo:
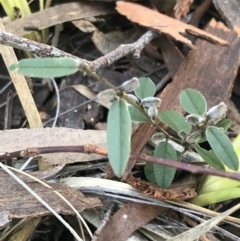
x: 164, y: 24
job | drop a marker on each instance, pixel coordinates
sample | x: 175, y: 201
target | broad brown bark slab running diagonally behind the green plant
x: 209, y: 69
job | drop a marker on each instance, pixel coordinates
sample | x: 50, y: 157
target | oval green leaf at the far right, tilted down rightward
x: 222, y: 147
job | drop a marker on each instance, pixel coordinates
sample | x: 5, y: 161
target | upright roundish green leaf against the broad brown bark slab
x: 193, y: 101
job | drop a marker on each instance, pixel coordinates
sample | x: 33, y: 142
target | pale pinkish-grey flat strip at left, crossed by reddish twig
x: 13, y: 140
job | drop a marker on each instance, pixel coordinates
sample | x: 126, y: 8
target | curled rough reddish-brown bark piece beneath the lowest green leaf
x: 182, y: 190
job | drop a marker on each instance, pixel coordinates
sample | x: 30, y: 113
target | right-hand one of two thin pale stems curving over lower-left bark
x: 59, y: 194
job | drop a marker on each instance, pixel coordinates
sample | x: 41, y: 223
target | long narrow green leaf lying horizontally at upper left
x: 46, y: 67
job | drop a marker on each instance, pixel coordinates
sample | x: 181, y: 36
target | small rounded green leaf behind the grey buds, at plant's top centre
x: 147, y: 88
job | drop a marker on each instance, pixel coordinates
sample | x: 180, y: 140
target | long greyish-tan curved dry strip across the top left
x: 57, y: 14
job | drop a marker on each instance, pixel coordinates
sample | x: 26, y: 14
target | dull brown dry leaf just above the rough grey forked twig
x: 106, y: 43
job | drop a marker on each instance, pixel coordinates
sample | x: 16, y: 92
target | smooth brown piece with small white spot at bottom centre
x: 128, y: 219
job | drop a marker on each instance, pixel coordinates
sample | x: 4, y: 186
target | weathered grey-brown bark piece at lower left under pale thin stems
x: 19, y: 203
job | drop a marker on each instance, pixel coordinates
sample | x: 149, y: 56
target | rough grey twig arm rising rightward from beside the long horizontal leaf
x: 123, y: 50
